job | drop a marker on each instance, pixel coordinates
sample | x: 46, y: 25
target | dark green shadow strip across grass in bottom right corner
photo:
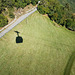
x: 69, y: 64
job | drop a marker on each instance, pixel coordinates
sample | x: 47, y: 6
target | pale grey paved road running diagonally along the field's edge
x: 16, y: 23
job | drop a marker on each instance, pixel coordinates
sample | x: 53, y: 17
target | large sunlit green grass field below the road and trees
x: 46, y: 49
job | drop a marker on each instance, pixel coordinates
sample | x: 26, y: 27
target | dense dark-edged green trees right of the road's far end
x: 61, y: 14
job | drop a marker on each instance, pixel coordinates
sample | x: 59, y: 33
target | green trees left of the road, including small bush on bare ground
x: 10, y: 4
